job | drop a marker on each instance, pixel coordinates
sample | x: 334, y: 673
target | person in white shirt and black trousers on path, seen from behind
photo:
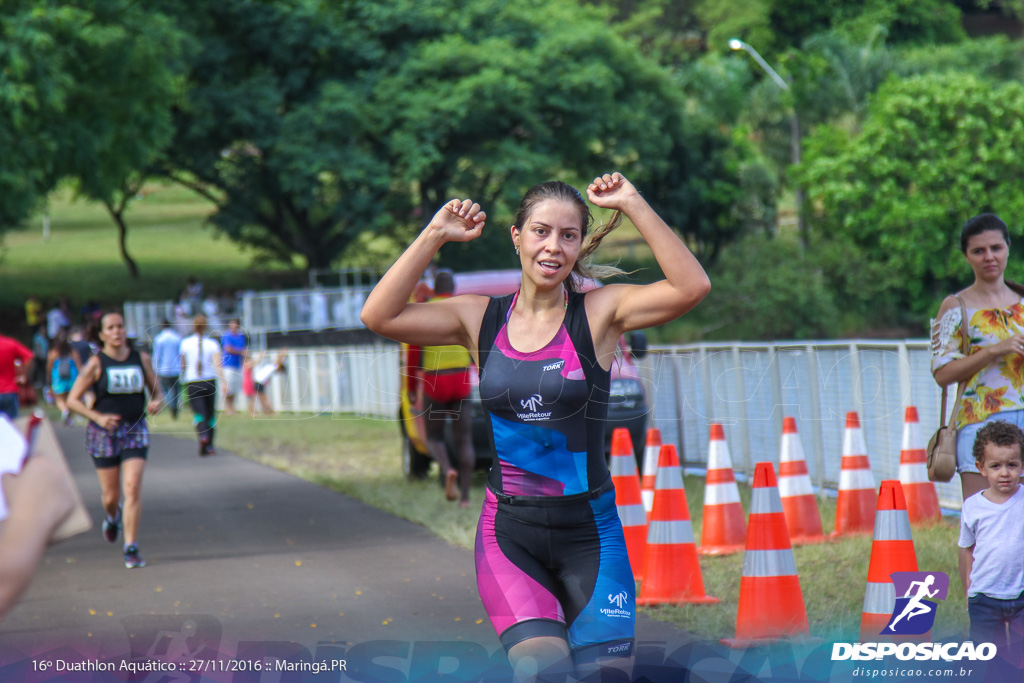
x: 200, y: 372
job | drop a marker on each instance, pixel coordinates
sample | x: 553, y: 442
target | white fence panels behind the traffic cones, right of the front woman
x: 750, y: 389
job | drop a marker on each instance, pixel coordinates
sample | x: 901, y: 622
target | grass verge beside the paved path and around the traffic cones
x: 368, y: 467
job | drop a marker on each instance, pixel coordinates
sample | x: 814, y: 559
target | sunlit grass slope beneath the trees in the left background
x: 168, y: 238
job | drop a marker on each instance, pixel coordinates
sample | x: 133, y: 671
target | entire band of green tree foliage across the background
x: 326, y: 133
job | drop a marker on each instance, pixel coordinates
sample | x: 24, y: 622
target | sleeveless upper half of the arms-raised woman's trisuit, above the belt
x: 546, y: 410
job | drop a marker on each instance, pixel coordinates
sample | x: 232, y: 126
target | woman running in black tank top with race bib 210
x: 117, y: 437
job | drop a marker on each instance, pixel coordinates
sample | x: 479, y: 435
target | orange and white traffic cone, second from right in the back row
x: 856, y: 507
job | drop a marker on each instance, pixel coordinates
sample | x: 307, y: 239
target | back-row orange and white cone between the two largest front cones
x: 724, y: 529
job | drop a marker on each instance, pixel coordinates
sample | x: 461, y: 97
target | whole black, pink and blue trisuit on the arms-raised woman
x: 551, y: 557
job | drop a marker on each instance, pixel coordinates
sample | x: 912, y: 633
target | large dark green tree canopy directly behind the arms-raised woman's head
x: 310, y: 125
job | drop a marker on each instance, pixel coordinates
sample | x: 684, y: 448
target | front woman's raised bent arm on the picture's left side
x: 389, y: 312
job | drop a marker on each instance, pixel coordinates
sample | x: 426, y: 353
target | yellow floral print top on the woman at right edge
x: 1000, y: 386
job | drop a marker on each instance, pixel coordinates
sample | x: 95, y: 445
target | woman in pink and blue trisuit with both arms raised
x: 550, y: 552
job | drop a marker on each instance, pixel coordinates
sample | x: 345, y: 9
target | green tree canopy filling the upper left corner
x: 87, y: 93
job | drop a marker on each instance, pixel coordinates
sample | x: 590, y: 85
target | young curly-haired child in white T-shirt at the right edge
x: 992, y: 544
